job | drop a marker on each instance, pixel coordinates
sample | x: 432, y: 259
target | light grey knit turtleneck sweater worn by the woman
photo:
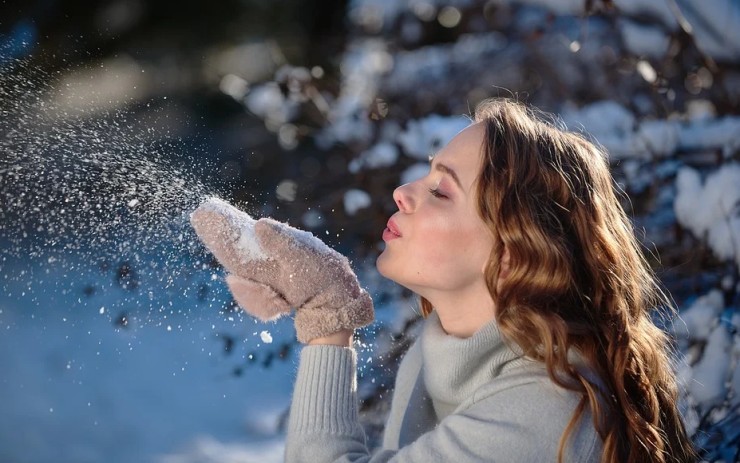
x: 455, y: 400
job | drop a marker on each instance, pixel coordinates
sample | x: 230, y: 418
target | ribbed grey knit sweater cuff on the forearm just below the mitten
x: 325, y: 393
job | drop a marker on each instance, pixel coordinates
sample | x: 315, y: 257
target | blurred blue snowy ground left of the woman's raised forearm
x: 103, y: 376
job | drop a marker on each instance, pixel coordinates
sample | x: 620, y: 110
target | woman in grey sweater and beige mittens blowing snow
x: 537, y: 344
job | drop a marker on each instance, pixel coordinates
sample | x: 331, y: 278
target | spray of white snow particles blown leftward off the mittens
x: 85, y: 190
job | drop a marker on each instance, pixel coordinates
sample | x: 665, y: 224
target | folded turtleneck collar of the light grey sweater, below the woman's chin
x: 454, y: 368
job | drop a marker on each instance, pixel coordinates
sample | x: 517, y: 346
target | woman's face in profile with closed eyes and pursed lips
x: 437, y: 241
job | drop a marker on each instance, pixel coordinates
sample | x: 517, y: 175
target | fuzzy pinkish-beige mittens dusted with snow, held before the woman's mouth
x: 300, y: 272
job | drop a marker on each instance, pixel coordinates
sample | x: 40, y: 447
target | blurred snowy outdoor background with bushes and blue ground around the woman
x: 118, y: 340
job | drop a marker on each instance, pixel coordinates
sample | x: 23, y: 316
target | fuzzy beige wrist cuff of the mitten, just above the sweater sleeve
x: 317, y: 321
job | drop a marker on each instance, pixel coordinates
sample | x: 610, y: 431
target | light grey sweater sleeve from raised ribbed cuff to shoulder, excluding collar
x: 521, y: 423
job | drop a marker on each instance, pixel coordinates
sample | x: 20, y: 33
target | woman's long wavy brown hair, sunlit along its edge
x: 577, y: 280
